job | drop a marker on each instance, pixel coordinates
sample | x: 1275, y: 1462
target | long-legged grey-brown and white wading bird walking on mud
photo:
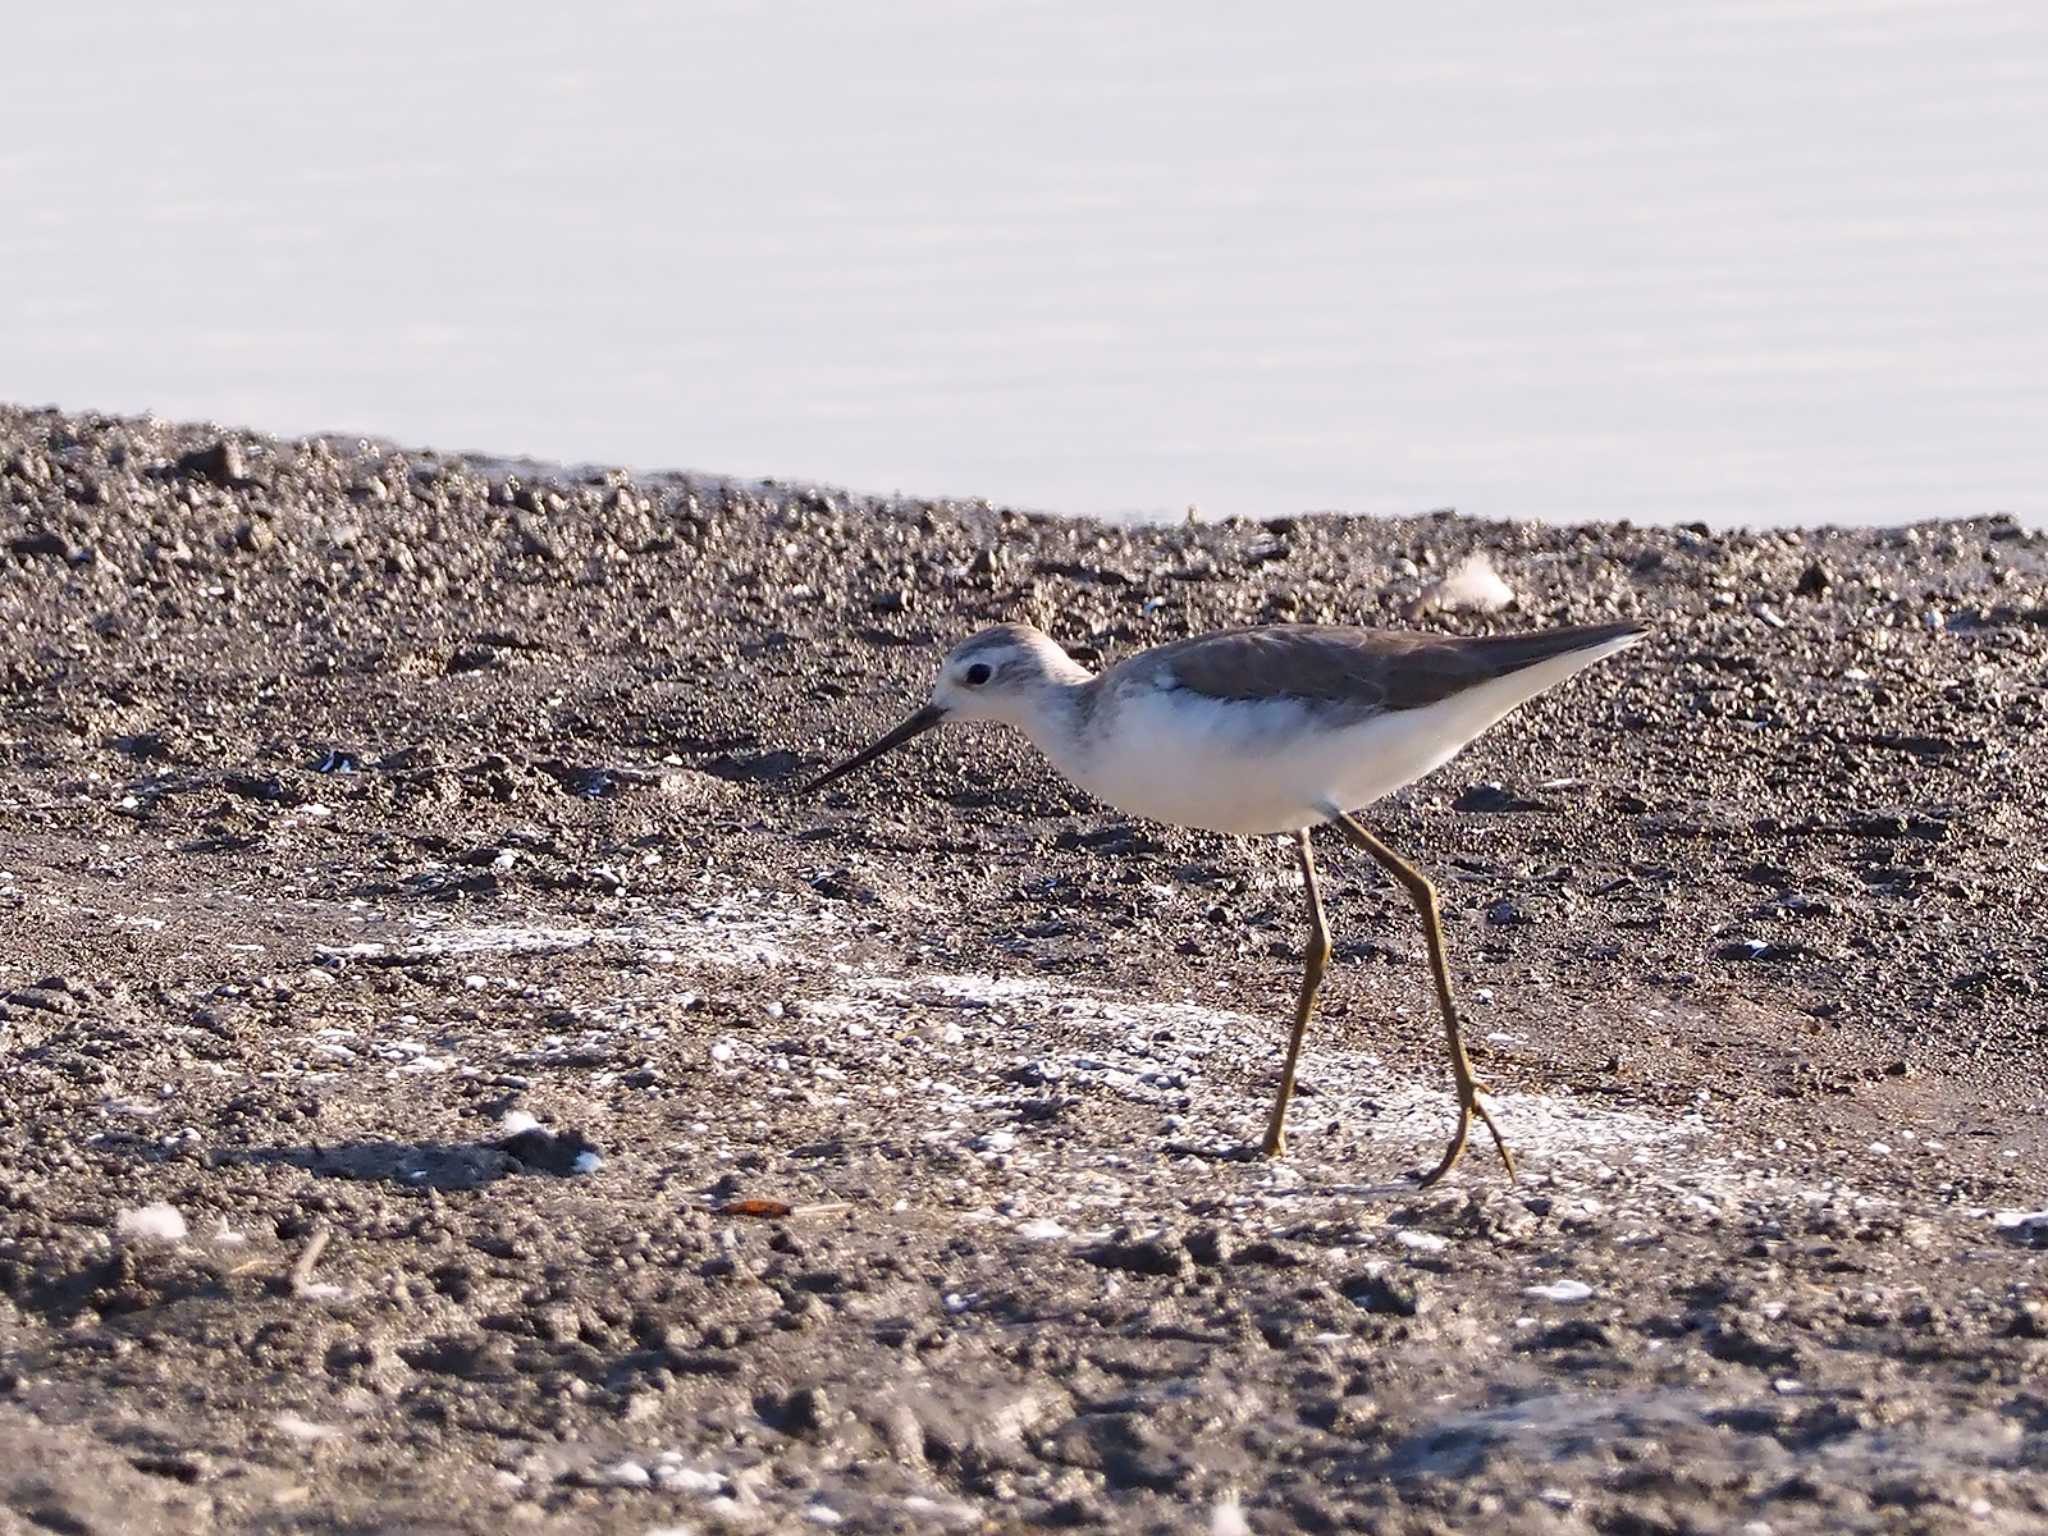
x: 1271, y: 730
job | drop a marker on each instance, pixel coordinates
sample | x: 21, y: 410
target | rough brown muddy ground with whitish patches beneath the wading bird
x: 454, y: 1086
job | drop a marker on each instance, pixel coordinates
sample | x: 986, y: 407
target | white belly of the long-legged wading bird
x: 1250, y: 767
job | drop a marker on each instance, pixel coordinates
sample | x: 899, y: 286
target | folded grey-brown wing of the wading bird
x: 1355, y: 671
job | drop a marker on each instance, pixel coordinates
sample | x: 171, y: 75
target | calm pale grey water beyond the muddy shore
x: 1750, y: 261
